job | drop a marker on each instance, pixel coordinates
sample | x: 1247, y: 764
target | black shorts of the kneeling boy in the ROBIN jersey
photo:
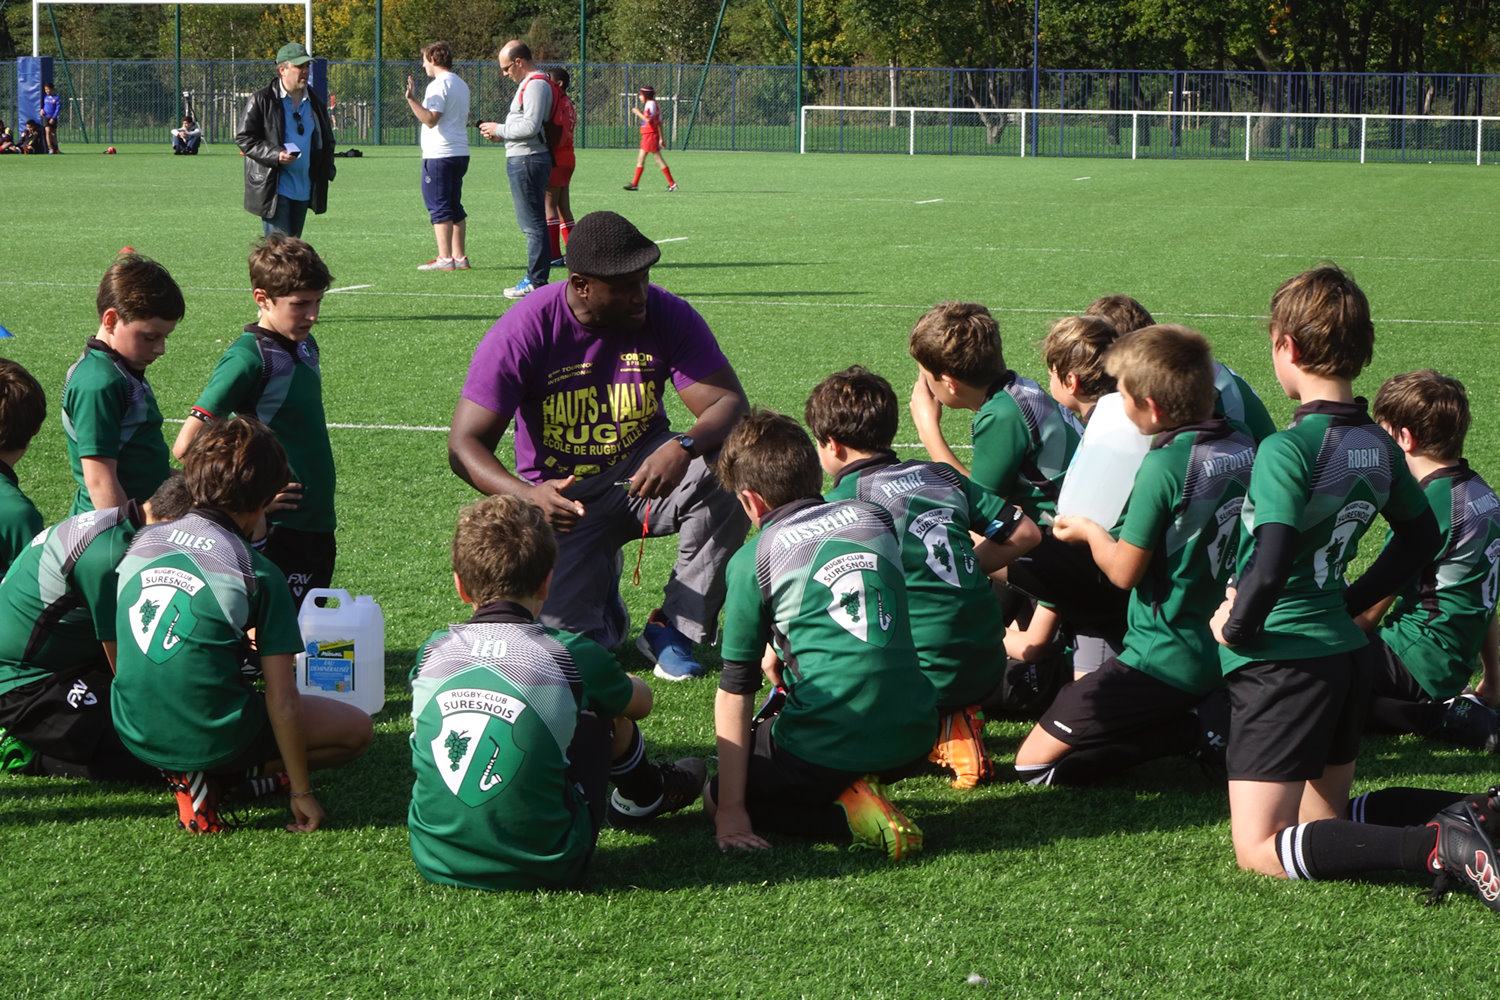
x: 1294, y: 719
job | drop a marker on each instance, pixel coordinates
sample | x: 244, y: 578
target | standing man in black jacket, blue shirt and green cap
x: 287, y: 139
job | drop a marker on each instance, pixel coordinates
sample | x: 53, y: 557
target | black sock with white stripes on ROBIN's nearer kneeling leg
x: 1342, y: 849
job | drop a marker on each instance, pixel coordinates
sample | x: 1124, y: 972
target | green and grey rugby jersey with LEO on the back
x: 494, y: 707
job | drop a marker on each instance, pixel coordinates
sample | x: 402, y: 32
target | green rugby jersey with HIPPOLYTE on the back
x: 1186, y: 509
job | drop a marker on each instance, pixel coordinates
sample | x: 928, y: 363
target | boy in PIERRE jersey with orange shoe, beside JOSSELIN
x: 955, y: 617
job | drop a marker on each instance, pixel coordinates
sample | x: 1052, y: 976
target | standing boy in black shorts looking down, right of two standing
x: 274, y: 373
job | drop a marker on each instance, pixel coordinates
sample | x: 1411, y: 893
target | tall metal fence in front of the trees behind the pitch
x: 757, y: 107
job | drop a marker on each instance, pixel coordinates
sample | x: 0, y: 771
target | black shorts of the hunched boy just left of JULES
x: 65, y: 714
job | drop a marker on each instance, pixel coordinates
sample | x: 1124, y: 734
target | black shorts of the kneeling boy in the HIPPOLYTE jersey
x: 1112, y: 702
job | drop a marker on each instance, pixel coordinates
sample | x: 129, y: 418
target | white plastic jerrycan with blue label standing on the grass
x: 344, y: 650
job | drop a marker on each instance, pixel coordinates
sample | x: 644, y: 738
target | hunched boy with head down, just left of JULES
x: 58, y: 644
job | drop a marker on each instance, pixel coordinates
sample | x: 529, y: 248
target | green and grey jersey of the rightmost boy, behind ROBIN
x: 1439, y: 624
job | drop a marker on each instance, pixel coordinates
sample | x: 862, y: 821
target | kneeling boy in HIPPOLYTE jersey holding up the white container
x: 1175, y: 551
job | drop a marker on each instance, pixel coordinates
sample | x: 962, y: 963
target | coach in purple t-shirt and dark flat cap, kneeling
x: 583, y: 368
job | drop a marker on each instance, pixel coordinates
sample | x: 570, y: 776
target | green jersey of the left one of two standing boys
x: 110, y: 413
